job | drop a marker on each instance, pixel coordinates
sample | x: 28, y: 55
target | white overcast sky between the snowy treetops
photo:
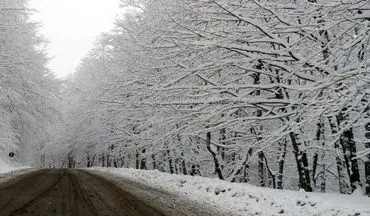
x: 71, y: 26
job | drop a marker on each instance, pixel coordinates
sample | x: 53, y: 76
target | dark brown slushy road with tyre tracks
x: 71, y: 192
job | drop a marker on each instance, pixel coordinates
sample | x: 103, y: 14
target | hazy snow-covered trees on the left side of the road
x: 27, y: 89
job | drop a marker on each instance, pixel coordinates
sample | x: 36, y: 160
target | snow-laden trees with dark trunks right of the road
x: 274, y: 93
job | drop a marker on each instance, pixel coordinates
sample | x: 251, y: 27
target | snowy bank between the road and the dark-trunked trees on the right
x: 245, y: 199
